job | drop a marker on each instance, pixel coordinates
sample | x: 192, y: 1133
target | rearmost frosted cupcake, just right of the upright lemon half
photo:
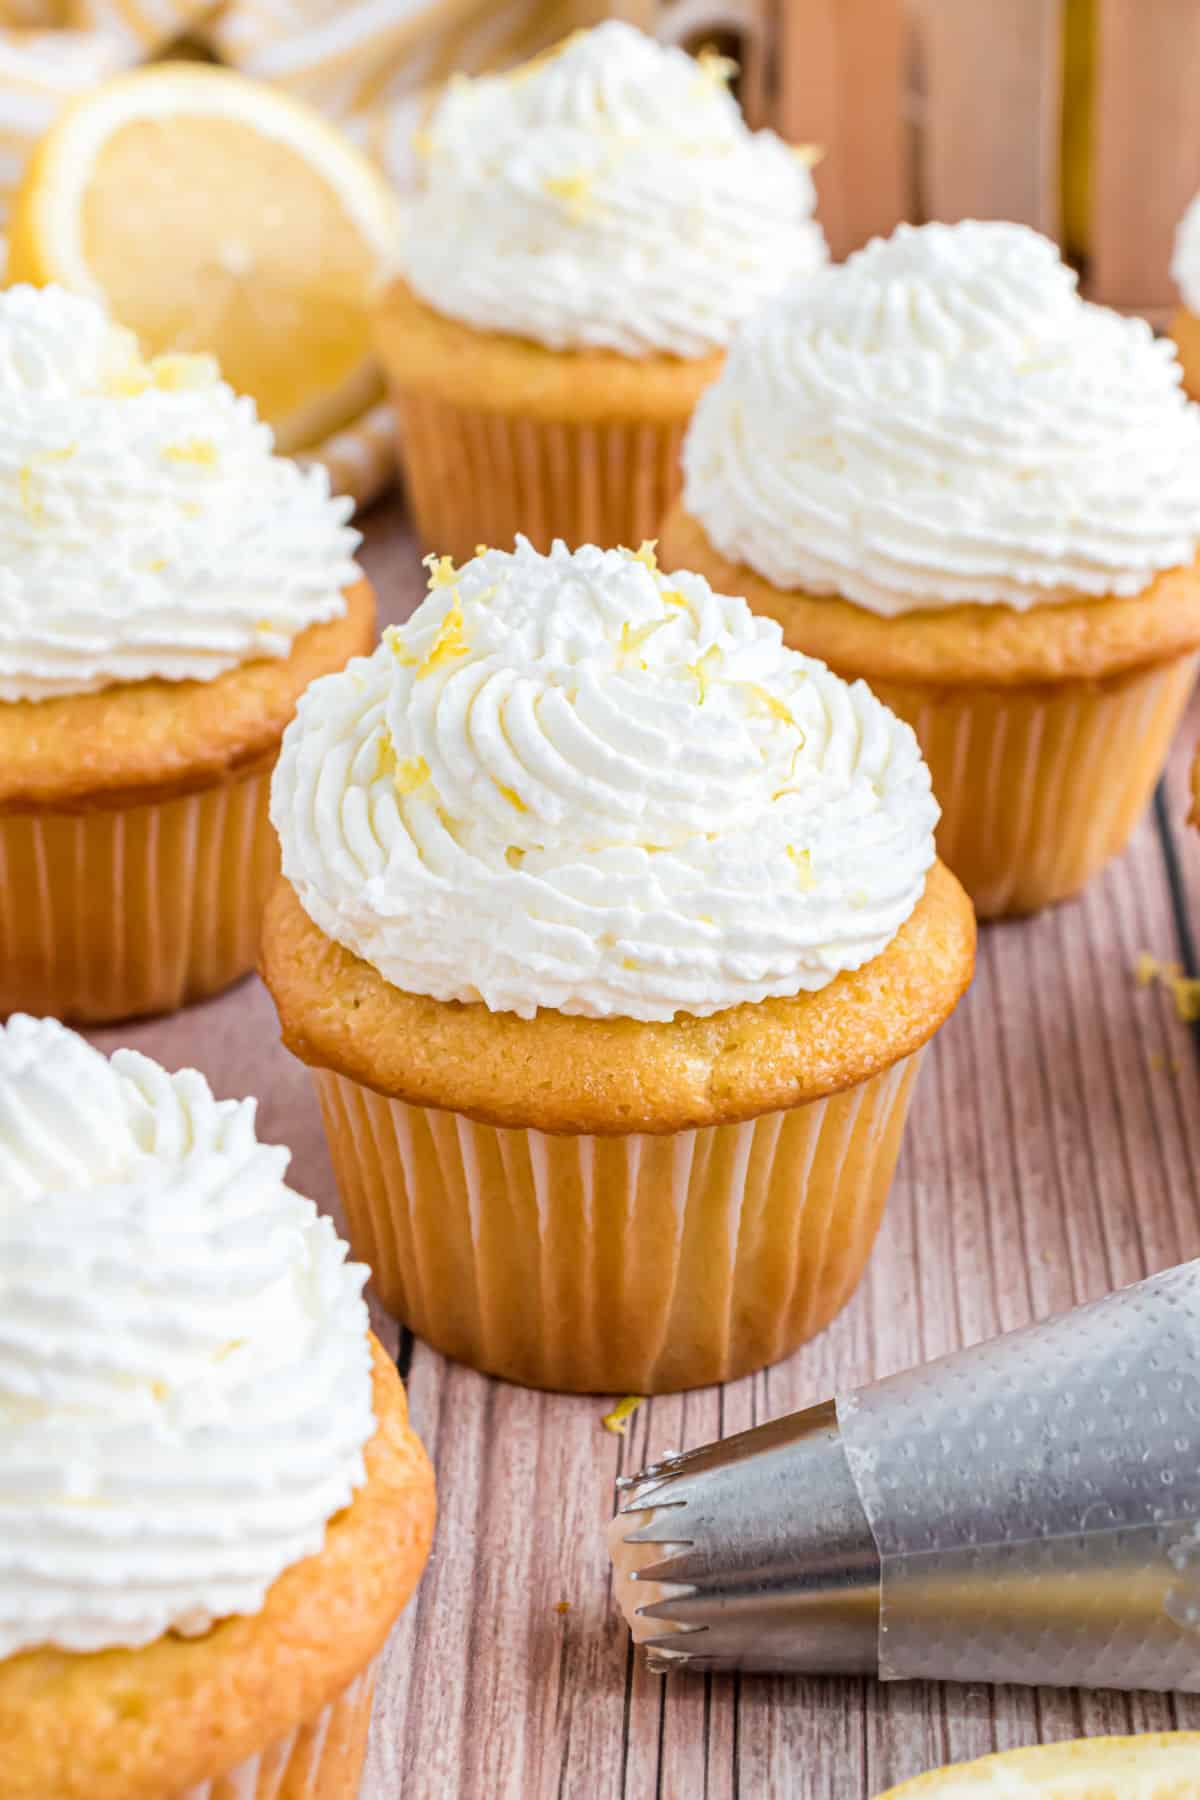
x: 589, y: 233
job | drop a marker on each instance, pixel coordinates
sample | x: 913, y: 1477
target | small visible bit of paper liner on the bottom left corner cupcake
x: 319, y: 1761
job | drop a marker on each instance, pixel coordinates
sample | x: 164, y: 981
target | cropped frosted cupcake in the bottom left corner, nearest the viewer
x: 213, y: 1507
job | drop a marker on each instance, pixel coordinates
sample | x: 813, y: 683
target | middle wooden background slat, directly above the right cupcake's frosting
x: 992, y: 111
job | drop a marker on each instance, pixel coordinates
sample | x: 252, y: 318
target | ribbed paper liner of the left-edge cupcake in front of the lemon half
x: 138, y: 910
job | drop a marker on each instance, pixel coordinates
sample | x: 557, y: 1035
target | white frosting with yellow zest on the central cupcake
x: 580, y: 784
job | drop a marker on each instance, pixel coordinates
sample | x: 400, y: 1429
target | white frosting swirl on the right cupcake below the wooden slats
x: 944, y: 420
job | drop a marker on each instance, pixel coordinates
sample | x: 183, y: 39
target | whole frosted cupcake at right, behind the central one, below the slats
x: 944, y: 472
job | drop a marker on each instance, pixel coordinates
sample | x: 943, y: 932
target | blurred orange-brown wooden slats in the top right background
x: 953, y: 109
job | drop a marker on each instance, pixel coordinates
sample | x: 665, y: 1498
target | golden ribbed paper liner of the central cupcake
x: 629, y: 1264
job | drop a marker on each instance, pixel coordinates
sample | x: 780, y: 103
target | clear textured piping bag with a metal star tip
x: 1021, y: 1511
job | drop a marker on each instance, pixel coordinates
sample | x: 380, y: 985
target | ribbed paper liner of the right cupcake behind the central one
x: 1039, y: 787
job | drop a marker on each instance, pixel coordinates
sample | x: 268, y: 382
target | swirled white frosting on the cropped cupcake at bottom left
x: 184, y: 1360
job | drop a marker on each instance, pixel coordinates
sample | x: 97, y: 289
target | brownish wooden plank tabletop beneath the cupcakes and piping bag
x: 1053, y: 1153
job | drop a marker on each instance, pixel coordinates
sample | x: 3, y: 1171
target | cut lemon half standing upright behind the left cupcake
x: 215, y: 215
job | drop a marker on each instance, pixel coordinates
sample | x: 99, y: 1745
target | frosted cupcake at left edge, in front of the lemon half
x: 168, y: 591
